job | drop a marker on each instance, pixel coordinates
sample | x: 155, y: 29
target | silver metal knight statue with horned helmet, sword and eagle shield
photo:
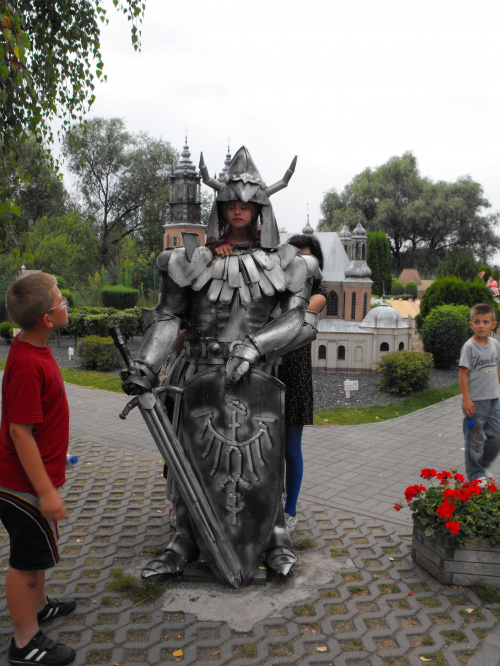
x: 242, y: 300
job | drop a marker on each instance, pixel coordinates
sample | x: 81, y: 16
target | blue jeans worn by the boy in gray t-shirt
x: 482, y: 441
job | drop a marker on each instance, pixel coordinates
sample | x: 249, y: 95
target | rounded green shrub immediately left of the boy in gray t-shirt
x: 445, y: 330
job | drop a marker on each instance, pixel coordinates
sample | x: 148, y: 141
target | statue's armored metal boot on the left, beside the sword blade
x: 180, y: 551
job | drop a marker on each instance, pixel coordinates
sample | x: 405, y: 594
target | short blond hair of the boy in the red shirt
x: 29, y: 298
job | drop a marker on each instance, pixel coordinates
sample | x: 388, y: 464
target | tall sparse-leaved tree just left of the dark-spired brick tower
x: 123, y: 179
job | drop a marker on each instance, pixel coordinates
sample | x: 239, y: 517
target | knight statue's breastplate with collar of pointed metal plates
x: 233, y: 296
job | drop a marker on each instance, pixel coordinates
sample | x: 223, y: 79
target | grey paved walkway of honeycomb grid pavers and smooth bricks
x: 373, y: 605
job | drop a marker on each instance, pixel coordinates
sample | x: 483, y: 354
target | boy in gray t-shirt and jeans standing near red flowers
x: 479, y: 379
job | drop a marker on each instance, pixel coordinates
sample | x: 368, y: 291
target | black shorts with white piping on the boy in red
x: 33, y: 538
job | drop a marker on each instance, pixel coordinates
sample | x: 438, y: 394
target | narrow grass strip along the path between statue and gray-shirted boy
x: 359, y: 415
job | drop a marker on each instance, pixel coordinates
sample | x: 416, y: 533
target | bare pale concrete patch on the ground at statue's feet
x: 243, y: 608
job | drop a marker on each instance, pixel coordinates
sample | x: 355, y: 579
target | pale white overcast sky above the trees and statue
x: 343, y: 84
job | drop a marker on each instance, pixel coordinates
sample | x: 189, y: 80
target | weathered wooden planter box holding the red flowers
x: 452, y: 565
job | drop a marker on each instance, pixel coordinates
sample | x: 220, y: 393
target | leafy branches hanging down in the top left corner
x: 49, y: 60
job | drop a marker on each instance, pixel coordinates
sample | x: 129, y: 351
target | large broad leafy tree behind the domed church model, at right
x: 422, y: 219
